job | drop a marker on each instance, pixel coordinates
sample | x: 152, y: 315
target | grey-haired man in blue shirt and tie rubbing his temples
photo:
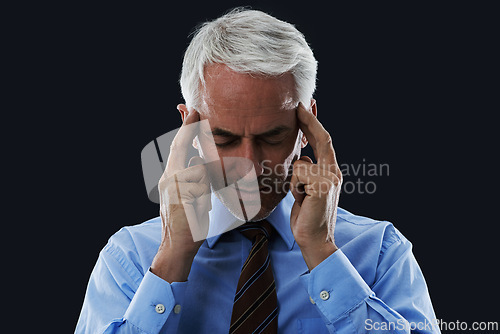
x: 289, y: 261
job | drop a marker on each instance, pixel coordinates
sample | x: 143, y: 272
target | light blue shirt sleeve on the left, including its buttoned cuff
x: 121, y: 299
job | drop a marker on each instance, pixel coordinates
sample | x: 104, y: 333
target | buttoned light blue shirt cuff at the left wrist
x: 153, y: 302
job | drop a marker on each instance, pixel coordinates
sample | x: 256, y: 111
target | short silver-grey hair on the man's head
x: 248, y: 41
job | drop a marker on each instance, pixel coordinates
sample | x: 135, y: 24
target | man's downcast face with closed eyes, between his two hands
x: 251, y: 117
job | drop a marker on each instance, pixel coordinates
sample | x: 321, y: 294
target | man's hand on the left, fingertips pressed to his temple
x: 184, y: 205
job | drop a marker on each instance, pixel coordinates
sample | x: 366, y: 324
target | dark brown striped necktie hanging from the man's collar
x: 255, y: 308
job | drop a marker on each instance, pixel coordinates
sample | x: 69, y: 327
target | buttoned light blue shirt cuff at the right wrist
x: 335, y: 286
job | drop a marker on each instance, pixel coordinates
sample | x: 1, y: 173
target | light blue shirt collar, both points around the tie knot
x: 279, y: 219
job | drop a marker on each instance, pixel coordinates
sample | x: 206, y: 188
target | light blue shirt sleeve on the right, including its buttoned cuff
x: 398, y: 301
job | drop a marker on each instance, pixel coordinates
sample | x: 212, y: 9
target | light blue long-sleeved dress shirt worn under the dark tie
x: 371, y: 284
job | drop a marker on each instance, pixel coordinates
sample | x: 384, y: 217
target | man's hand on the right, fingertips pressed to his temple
x: 316, y: 189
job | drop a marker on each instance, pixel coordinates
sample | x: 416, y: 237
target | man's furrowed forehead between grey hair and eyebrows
x: 231, y: 94
